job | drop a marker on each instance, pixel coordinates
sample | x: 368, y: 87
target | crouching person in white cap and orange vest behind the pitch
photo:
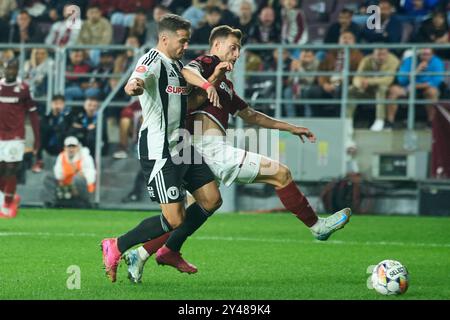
x: 74, y: 175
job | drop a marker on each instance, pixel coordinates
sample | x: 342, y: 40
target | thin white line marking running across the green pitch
x: 336, y: 242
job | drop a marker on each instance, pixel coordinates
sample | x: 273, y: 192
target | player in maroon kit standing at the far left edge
x: 15, y: 104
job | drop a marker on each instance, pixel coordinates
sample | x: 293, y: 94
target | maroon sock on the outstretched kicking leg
x: 295, y: 201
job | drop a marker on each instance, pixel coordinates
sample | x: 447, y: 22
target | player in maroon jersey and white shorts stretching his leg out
x: 231, y: 164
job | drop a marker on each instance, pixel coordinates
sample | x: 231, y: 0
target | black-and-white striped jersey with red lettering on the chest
x: 164, y: 104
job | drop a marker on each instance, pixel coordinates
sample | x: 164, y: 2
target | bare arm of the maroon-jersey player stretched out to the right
x: 251, y: 116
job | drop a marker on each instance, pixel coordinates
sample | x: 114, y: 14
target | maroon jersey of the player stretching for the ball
x: 231, y: 103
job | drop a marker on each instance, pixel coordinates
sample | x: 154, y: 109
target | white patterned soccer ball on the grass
x: 390, y: 277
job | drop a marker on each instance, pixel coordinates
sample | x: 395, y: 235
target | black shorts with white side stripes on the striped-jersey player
x: 169, y: 184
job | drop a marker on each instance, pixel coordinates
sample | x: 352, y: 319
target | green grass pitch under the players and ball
x: 239, y: 256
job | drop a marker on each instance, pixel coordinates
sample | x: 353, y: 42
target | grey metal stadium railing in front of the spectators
x: 56, y: 78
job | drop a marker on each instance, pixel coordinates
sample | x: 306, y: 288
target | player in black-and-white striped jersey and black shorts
x: 162, y: 90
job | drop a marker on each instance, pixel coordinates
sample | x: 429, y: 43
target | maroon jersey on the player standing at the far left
x: 15, y: 102
